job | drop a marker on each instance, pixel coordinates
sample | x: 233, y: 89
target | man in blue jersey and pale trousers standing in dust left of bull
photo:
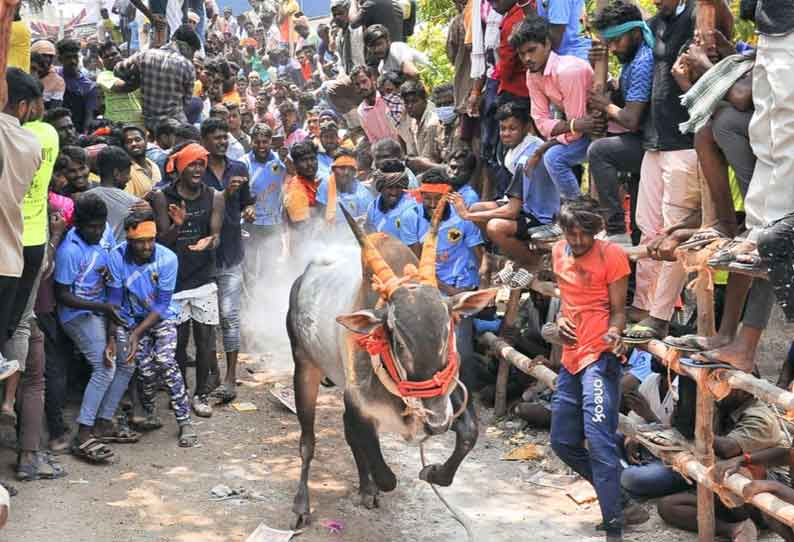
x: 267, y: 173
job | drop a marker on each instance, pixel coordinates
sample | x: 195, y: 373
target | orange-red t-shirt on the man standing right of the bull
x: 584, y: 289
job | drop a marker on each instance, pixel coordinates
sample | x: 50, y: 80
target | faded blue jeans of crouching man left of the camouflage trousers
x: 107, y: 385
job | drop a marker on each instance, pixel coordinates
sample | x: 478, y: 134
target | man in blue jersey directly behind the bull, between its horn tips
x: 388, y: 212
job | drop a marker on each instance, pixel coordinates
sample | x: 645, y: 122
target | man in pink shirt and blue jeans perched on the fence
x: 558, y: 88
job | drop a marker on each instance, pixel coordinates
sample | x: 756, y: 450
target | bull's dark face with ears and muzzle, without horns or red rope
x: 417, y: 321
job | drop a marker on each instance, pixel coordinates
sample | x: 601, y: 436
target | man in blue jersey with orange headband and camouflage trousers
x: 143, y: 278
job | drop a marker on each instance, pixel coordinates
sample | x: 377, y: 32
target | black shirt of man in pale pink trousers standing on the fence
x: 661, y: 131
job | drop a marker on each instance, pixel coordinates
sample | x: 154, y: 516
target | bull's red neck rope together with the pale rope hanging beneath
x: 394, y: 378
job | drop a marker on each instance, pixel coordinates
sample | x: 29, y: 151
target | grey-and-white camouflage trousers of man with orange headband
x: 156, y: 362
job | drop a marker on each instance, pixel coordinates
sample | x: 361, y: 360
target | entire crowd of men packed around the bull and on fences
x: 149, y: 173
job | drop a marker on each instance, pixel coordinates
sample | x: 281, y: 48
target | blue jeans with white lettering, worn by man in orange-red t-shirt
x: 586, y: 406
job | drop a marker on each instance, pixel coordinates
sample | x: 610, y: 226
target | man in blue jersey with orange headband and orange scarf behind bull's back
x: 343, y: 187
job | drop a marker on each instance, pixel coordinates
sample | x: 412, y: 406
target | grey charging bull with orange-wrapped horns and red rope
x: 394, y: 355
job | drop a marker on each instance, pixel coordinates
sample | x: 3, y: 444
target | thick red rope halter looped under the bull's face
x: 377, y: 344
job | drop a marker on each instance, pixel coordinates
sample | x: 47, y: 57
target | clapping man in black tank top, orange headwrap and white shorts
x: 189, y: 217
